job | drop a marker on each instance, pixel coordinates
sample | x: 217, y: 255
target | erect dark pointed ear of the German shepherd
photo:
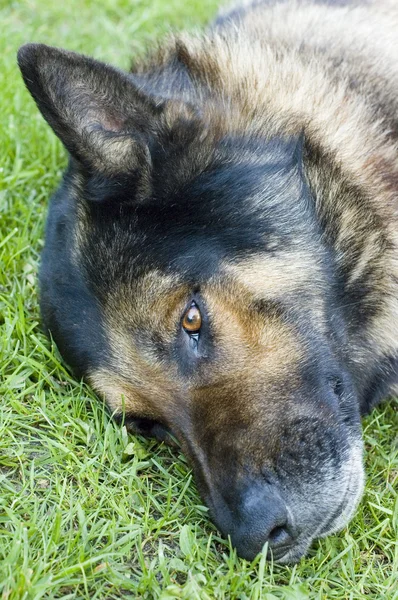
x: 96, y: 110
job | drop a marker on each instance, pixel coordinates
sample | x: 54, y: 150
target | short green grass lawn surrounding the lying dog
x: 85, y: 510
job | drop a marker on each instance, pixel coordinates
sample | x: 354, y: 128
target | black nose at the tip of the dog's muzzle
x: 260, y: 515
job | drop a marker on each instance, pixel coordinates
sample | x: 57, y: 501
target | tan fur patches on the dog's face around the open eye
x: 147, y: 387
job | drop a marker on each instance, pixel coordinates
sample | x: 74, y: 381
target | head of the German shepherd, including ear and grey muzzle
x: 199, y: 297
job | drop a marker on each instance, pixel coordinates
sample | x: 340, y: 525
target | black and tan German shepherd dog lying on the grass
x: 221, y: 258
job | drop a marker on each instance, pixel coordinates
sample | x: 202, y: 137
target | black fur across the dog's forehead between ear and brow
x: 231, y: 213
